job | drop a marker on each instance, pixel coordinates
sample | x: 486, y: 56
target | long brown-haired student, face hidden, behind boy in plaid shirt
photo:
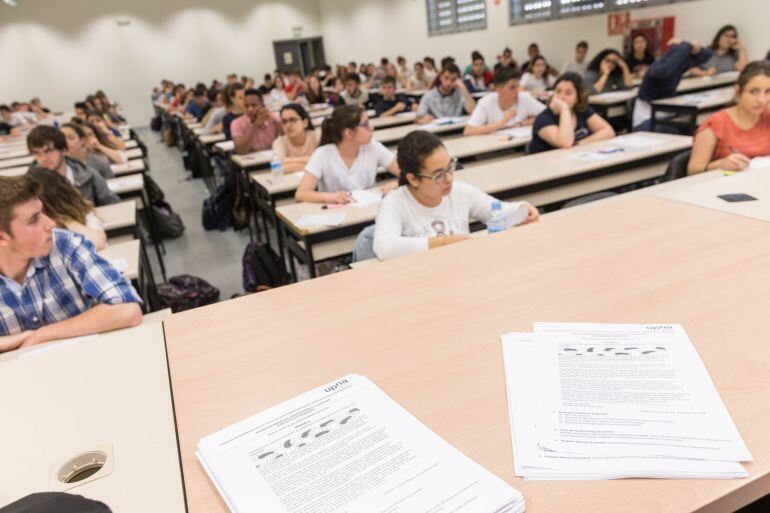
x: 67, y: 208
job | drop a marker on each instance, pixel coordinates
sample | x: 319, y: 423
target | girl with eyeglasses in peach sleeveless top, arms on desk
x: 299, y: 141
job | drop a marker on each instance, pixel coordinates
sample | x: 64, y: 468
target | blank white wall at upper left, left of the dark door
x: 61, y: 50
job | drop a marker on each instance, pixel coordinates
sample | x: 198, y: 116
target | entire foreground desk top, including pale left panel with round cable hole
x: 647, y: 256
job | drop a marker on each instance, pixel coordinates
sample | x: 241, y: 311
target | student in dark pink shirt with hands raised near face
x: 257, y: 128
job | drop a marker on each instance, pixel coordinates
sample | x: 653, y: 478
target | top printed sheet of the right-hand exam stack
x: 632, y: 390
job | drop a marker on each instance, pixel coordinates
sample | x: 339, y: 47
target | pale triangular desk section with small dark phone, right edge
x: 754, y: 183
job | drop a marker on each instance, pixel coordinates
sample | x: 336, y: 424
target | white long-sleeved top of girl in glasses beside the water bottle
x: 404, y: 225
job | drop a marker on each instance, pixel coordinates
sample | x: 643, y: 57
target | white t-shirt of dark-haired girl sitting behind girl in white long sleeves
x: 333, y: 174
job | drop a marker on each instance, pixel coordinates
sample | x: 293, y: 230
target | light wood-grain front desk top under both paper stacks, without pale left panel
x: 617, y: 262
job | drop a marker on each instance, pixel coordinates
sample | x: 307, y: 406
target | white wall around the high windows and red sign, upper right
x: 366, y: 30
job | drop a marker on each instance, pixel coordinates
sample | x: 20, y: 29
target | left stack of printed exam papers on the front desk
x: 346, y: 447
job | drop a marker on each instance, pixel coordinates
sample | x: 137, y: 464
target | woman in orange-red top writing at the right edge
x: 733, y: 136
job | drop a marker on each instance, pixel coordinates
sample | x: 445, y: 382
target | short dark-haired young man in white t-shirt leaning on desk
x: 505, y: 108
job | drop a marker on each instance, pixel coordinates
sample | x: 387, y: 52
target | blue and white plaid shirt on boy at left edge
x: 66, y: 283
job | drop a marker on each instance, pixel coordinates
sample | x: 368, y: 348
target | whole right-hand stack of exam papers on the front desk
x: 608, y: 401
